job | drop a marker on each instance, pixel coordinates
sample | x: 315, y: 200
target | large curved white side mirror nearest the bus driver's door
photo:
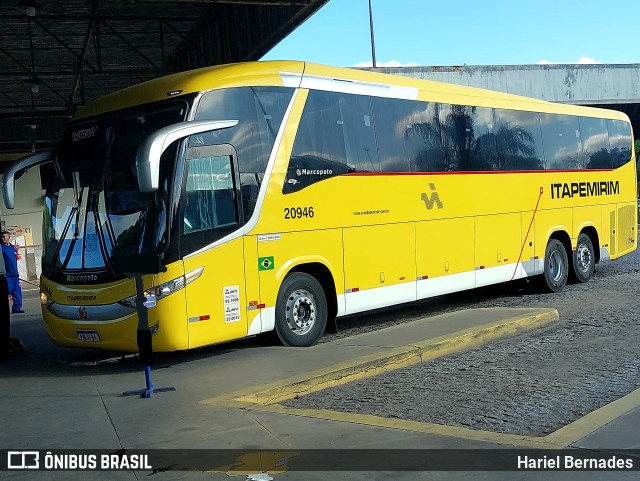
x: 149, y: 153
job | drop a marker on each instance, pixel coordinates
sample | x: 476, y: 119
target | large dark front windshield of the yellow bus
x: 93, y: 205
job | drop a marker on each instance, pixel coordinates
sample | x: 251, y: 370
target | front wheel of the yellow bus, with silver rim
x: 301, y: 310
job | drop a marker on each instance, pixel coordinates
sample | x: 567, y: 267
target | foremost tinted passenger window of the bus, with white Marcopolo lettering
x: 319, y: 150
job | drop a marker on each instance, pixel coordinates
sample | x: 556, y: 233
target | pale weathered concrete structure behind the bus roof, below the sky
x: 614, y: 86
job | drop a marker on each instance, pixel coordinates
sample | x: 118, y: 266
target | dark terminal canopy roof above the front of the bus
x: 56, y: 55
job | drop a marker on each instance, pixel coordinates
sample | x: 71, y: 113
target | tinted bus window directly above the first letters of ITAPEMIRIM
x: 561, y: 137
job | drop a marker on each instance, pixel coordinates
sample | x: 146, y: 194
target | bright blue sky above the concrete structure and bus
x: 467, y: 32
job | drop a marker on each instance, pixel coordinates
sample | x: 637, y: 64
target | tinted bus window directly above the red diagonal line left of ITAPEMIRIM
x: 518, y: 140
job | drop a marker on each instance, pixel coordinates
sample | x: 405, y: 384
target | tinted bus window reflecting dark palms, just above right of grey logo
x: 468, y: 138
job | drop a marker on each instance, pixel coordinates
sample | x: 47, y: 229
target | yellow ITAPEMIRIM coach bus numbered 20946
x: 282, y: 195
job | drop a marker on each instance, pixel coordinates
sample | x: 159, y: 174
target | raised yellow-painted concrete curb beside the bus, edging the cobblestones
x: 395, y: 358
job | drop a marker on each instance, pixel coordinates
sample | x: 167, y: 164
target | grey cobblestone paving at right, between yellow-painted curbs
x: 531, y: 385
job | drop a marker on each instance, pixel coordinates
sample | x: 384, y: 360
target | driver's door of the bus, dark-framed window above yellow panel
x: 210, y: 211
